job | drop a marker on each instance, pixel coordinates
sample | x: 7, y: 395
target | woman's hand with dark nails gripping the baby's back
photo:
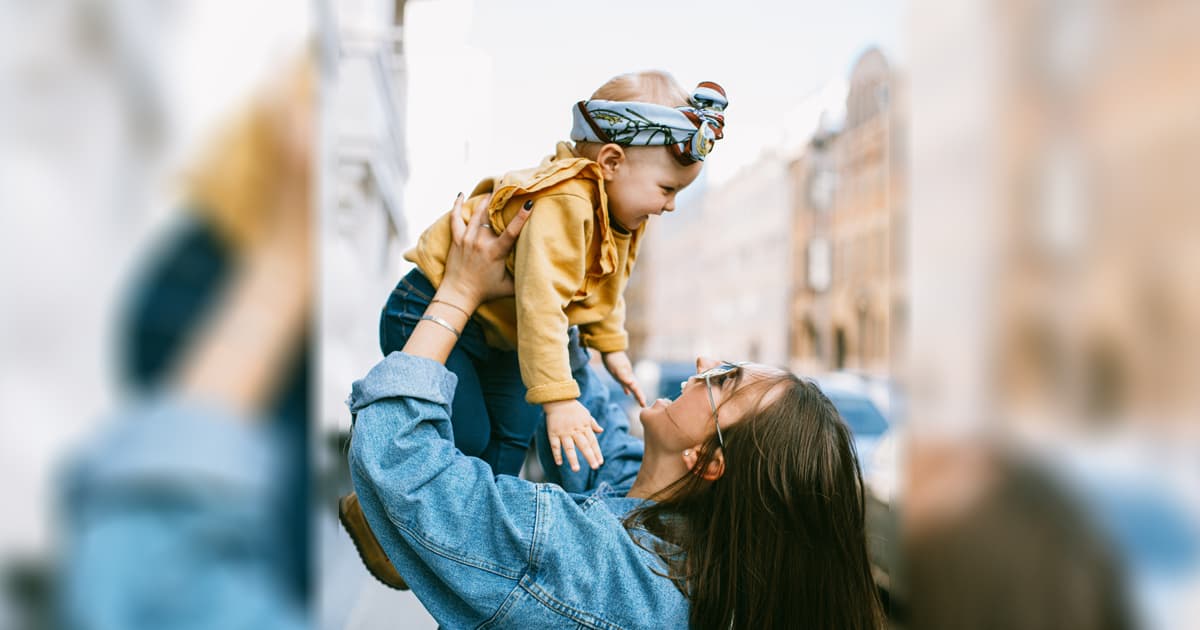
x: 476, y: 271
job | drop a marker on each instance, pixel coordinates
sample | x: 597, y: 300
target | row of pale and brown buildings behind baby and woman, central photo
x: 799, y: 260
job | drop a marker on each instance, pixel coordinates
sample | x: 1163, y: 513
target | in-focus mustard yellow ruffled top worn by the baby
x: 571, y: 268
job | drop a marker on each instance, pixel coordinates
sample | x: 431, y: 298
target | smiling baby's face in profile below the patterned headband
x: 646, y: 184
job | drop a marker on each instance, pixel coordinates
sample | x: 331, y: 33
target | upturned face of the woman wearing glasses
x: 688, y: 422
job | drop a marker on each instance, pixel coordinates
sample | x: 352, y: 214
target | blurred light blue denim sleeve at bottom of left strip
x: 173, y: 521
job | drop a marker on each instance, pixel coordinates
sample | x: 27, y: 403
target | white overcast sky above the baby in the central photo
x: 491, y: 85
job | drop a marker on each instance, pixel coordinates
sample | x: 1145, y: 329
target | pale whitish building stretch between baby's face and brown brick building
x: 715, y: 277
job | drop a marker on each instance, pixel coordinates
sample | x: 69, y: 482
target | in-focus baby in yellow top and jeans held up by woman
x: 639, y: 141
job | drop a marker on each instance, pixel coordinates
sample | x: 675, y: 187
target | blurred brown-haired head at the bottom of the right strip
x: 995, y: 541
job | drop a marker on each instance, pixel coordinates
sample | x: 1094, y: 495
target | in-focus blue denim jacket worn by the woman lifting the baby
x: 484, y: 551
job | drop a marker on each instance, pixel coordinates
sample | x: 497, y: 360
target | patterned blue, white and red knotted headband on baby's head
x: 691, y: 133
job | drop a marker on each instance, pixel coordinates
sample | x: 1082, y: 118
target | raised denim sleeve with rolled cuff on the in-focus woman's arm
x: 461, y: 563
